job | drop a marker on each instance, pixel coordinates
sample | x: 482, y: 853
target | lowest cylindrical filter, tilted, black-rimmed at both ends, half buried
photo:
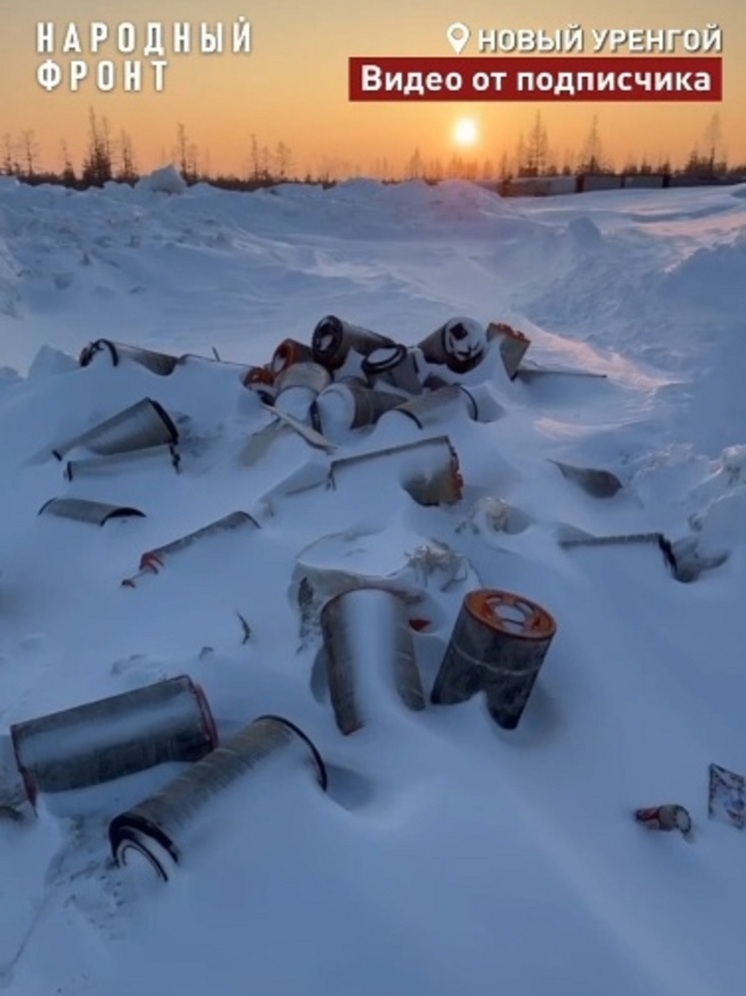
x: 164, y: 826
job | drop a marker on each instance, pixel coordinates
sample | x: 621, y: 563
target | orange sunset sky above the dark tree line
x: 292, y: 88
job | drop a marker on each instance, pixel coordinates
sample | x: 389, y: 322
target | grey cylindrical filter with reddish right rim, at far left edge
x: 114, y: 737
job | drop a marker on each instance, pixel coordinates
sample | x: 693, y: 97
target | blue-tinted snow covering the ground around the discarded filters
x: 448, y: 855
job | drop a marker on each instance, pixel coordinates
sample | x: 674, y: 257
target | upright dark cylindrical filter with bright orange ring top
x: 497, y: 646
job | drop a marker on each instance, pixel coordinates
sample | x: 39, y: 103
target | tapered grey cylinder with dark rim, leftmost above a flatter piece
x: 138, y: 427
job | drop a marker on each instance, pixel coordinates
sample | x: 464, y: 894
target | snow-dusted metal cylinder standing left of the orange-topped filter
x: 369, y: 655
